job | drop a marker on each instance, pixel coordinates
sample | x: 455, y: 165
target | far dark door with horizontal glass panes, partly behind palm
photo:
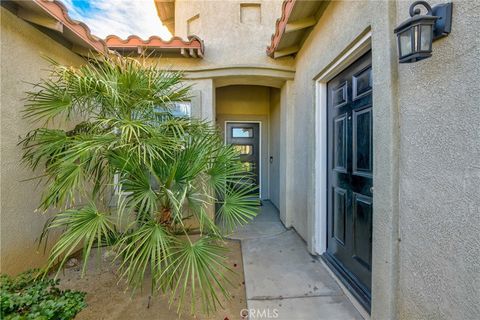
x: 245, y: 137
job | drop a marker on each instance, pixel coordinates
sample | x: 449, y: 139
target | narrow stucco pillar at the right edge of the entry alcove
x: 286, y: 148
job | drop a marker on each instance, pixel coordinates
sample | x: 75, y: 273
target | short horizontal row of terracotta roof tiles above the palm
x: 193, y: 42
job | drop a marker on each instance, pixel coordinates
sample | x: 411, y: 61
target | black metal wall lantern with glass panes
x: 415, y: 35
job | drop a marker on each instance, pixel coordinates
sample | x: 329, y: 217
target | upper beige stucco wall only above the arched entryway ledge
x: 228, y: 40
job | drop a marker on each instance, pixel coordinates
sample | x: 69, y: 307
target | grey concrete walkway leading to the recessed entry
x: 283, y: 279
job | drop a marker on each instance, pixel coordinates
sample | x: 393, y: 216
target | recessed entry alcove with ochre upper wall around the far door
x: 249, y: 118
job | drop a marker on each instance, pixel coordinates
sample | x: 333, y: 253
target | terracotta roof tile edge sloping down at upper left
x: 60, y: 12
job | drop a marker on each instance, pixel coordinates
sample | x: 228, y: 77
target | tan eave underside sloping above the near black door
x: 297, y: 20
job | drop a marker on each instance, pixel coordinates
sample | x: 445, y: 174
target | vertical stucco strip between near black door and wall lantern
x: 386, y: 143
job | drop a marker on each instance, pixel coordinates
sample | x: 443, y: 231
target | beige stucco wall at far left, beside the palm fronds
x: 21, y: 48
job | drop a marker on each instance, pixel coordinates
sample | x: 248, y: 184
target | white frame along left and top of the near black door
x: 358, y: 48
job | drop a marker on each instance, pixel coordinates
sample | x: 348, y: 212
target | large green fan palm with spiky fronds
x: 170, y: 175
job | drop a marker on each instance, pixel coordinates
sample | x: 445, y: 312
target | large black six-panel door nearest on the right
x: 349, y: 182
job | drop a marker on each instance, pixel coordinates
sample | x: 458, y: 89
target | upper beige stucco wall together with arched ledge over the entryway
x: 234, y: 50
